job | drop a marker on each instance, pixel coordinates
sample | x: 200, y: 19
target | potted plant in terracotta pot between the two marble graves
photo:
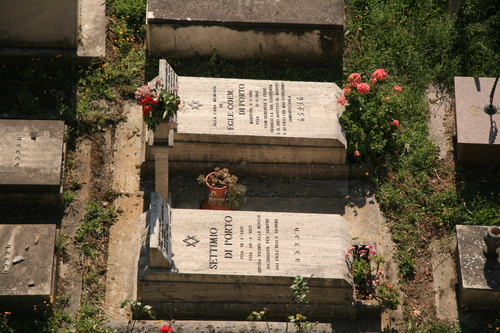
x: 223, y: 185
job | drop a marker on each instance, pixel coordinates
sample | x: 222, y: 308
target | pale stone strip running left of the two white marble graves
x: 124, y: 238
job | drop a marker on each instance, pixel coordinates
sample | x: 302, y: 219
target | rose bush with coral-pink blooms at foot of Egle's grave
x: 371, y: 115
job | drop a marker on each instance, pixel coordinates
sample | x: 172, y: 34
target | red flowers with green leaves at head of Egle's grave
x: 158, y: 105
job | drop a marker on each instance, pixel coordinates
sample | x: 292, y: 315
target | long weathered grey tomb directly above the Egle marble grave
x: 286, y: 30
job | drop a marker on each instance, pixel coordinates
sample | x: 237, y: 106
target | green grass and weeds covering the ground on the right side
x: 418, y: 43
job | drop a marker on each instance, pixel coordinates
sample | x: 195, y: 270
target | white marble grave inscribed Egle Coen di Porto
x: 257, y: 127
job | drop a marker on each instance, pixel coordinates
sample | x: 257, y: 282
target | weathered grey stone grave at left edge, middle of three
x: 32, y: 161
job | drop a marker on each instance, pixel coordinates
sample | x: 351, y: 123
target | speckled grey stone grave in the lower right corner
x: 479, y: 277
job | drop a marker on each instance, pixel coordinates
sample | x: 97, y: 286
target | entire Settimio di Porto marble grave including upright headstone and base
x: 226, y: 264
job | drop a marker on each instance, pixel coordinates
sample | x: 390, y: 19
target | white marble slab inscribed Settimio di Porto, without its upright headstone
x: 221, y: 255
